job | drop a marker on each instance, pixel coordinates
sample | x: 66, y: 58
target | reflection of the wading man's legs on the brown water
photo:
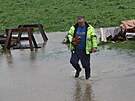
x: 83, y: 91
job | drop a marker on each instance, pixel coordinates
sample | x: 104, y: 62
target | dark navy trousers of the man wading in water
x: 85, y: 61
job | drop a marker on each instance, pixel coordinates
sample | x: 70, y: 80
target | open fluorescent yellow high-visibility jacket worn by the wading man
x: 91, y: 40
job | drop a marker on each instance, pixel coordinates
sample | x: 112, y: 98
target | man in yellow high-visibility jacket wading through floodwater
x: 83, y: 42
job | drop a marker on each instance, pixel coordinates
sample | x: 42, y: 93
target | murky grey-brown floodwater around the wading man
x: 45, y: 74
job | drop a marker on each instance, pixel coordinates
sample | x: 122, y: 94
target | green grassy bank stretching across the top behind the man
x: 59, y: 15
